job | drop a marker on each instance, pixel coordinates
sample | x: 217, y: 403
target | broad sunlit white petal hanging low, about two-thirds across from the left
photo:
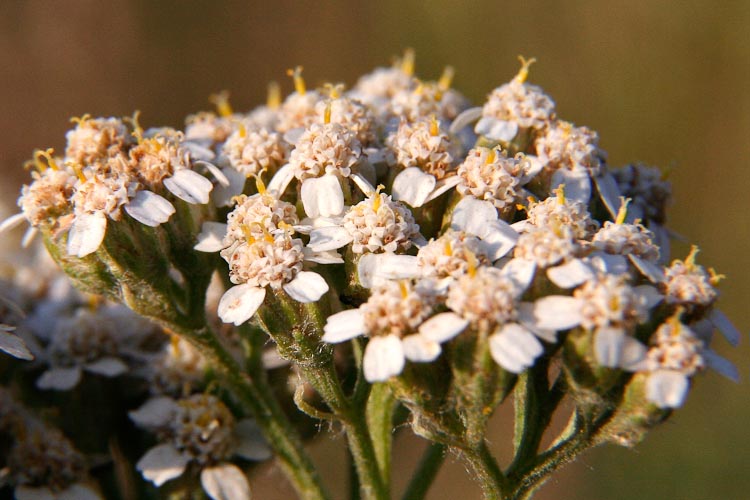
x: 514, y: 348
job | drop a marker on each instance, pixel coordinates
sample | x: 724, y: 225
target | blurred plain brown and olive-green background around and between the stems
x: 667, y: 83
